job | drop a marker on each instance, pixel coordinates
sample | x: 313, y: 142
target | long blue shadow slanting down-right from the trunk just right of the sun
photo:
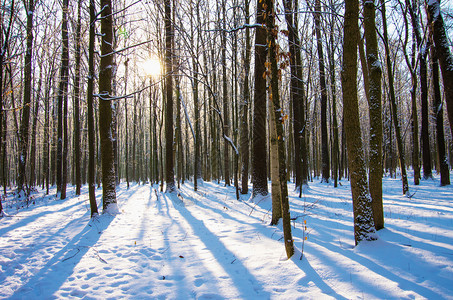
x: 237, y: 271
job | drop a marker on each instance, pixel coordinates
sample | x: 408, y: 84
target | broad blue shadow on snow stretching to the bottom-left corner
x: 54, y: 273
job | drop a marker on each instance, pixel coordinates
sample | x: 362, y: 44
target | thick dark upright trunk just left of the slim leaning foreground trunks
x: 259, y: 155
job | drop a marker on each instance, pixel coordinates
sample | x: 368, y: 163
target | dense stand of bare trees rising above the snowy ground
x: 265, y: 98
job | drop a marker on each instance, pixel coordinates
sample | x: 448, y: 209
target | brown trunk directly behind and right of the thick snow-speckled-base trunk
x: 374, y: 75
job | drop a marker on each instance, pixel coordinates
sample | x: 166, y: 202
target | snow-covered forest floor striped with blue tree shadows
x: 207, y: 245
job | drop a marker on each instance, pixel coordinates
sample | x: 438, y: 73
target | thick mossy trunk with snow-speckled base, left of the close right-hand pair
x: 363, y: 215
